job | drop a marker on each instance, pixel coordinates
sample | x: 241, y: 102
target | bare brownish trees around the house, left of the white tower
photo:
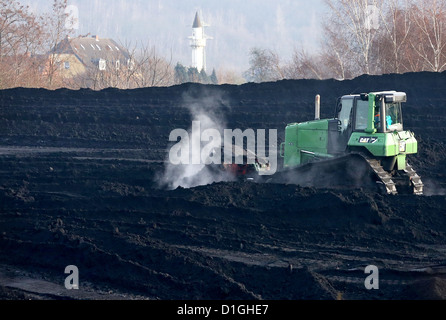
x: 27, y: 58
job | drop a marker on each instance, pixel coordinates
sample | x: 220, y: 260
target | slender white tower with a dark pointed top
x: 198, y: 44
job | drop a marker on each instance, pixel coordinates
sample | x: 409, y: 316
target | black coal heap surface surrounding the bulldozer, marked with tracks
x: 80, y: 185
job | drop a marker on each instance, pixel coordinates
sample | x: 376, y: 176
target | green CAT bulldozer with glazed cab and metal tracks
x: 365, y: 137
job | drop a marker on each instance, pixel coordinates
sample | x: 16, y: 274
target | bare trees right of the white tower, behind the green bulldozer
x: 364, y: 37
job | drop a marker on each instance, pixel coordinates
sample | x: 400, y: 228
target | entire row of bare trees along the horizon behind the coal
x: 359, y: 37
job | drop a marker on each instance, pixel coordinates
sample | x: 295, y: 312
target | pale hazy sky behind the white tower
x: 235, y: 26
